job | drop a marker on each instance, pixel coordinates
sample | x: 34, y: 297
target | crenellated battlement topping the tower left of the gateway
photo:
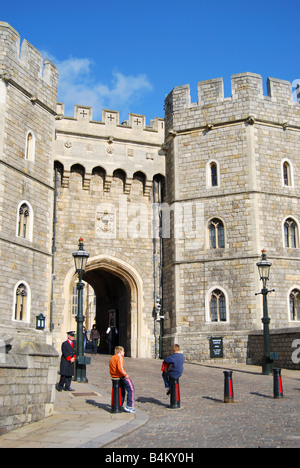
x: 22, y: 65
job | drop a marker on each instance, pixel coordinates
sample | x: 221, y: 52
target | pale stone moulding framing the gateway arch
x: 140, y: 347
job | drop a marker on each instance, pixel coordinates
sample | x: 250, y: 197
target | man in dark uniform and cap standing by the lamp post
x: 67, y: 366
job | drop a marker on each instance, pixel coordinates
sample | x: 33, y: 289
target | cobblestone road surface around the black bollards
x: 255, y: 419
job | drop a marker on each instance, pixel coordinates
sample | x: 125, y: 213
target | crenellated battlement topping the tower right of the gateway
x: 247, y: 99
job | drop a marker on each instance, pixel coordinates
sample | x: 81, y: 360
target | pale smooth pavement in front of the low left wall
x: 82, y: 419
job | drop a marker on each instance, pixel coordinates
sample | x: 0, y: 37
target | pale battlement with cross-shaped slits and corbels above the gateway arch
x: 108, y: 146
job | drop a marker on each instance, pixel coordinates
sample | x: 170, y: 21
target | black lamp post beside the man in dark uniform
x: 80, y: 259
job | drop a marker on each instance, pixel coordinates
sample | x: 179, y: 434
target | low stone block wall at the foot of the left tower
x: 28, y: 375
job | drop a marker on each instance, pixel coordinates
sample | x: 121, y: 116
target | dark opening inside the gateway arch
x: 112, y: 304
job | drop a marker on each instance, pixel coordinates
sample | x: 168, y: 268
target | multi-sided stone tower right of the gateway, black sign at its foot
x: 232, y: 170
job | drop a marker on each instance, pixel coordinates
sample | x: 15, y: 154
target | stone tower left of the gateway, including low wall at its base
x: 28, y: 91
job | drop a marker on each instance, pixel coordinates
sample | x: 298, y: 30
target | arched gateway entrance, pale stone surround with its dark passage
x: 118, y: 296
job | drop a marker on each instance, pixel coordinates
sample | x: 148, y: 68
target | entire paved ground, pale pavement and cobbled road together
x: 254, y: 420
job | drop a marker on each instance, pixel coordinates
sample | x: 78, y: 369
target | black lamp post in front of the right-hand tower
x: 264, y: 266
